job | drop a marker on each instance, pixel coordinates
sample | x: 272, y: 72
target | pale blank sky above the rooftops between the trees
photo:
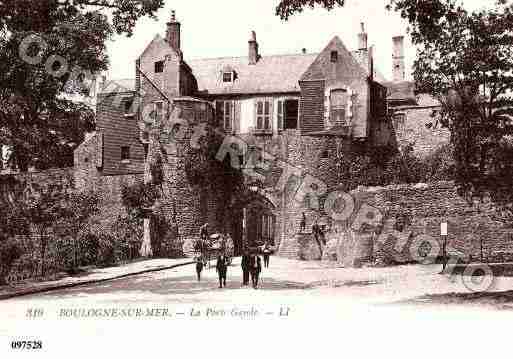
x: 221, y: 28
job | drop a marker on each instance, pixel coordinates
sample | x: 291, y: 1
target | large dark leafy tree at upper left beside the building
x: 64, y: 42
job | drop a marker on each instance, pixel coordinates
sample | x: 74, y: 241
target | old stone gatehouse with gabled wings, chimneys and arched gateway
x: 299, y: 112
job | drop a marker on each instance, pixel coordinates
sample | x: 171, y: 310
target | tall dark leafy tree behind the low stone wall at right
x: 465, y: 60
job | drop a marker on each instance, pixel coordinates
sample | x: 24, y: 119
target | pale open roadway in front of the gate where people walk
x: 285, y: 278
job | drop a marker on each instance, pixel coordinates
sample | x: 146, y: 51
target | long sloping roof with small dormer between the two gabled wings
x: 271, y: 74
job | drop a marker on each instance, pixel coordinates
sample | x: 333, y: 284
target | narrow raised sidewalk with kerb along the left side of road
x: 96, y: 275
